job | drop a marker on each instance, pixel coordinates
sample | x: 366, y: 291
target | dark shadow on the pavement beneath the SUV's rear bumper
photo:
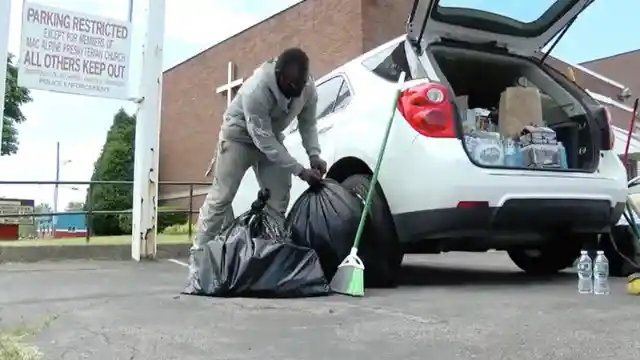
x: 425, y: 275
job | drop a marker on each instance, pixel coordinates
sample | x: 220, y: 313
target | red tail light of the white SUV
x: 427, y: 109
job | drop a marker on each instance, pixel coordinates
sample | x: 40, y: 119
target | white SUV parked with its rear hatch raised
x: 433, y: 195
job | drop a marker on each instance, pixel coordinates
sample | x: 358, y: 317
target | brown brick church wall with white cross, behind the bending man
x: 191, y: 109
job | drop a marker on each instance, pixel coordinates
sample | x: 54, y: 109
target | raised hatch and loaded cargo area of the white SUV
x: 513, y: 113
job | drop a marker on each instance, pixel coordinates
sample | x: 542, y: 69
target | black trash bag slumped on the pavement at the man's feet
x: 254, y: 257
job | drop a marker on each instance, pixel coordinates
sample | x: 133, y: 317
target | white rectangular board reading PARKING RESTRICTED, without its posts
x: 69, y: 52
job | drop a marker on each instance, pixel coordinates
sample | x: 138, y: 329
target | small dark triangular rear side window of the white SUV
x: 389, y: 62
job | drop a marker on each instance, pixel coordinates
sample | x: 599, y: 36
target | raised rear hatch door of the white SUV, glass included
x: 525, y: 30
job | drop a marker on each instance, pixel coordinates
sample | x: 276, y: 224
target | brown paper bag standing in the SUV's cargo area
x: 519, y: 107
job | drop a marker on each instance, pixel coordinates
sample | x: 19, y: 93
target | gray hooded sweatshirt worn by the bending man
x: 259, y: 113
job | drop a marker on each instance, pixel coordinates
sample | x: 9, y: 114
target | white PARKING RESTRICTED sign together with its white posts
x: 82, y: 54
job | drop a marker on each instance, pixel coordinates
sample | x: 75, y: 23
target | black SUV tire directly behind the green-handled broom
x: 380, y: 250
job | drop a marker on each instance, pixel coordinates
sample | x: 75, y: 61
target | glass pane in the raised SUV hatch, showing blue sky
x: 510, y: 17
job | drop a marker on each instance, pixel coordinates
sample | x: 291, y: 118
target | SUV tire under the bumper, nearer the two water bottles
x: 548, y: 259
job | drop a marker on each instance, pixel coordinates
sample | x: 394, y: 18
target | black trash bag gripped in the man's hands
x: 325, y: 218
